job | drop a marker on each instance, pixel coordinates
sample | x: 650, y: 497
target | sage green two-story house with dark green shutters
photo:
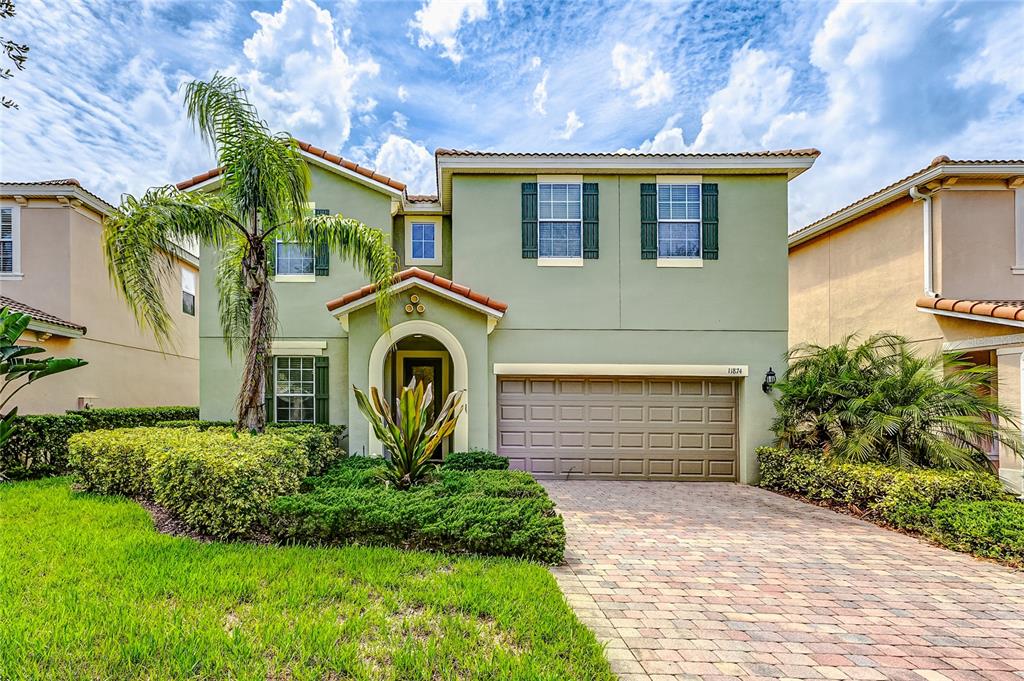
x: 610, y: 316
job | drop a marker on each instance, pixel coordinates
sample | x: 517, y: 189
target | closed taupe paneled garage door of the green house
x: 642, y: 429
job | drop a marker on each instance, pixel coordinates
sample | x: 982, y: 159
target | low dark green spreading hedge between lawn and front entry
x: 504, y: 514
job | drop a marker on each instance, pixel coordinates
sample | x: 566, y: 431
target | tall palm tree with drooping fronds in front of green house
x: 265, y: 184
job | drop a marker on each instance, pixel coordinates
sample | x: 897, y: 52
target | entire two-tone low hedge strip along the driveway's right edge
x: 963, y: 509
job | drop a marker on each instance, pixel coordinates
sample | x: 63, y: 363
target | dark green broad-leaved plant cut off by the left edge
x: 18, y: 371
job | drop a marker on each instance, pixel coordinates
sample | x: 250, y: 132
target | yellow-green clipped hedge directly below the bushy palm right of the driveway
x: 903, y: 498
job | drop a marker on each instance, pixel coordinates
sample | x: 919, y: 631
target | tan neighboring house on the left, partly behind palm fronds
x: 53, y: 268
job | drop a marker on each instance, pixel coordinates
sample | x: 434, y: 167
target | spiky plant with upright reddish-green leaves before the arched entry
x: 411, y: 434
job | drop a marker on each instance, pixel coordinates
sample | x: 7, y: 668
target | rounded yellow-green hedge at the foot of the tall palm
x: 218, y: 482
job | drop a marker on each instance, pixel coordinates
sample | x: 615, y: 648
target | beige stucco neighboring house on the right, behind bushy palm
x: 938, y: 258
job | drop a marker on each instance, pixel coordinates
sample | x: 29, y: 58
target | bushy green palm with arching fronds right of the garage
x: 878, y: 402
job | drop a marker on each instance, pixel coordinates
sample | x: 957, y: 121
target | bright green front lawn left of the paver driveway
x: 89, y: 590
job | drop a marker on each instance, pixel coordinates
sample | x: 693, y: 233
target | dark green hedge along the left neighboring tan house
x: 39, y: 446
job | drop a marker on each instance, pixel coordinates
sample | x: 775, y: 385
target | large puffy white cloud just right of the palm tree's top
x: 301, y: 78
